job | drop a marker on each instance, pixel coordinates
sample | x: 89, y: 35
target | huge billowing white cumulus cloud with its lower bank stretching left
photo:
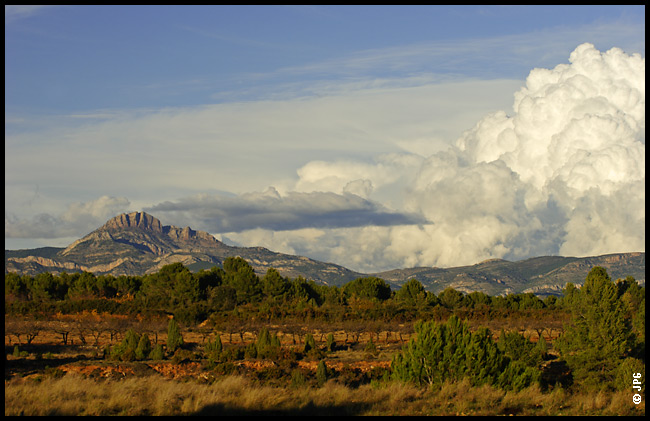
x: 565, y: 174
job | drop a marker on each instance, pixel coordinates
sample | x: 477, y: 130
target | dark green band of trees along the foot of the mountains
x: 193, y: 297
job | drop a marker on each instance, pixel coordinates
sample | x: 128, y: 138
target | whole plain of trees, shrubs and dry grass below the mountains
x: 234, y: 344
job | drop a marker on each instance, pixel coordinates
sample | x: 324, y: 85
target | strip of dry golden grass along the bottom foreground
x: 236, y: 395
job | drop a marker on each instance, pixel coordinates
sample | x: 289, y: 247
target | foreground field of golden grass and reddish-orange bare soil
x: 53, y: 379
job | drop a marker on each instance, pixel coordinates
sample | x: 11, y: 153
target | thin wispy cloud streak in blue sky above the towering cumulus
x: 484, y: 57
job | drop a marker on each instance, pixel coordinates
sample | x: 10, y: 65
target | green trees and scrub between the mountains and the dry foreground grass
x: 452, y: 335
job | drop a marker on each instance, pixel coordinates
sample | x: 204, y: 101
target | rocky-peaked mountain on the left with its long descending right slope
x: 137, y: 244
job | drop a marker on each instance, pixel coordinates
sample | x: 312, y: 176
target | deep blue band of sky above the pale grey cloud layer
x: 78, y: 58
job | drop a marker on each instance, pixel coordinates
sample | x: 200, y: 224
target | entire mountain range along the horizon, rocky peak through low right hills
x: 137, y: 243
